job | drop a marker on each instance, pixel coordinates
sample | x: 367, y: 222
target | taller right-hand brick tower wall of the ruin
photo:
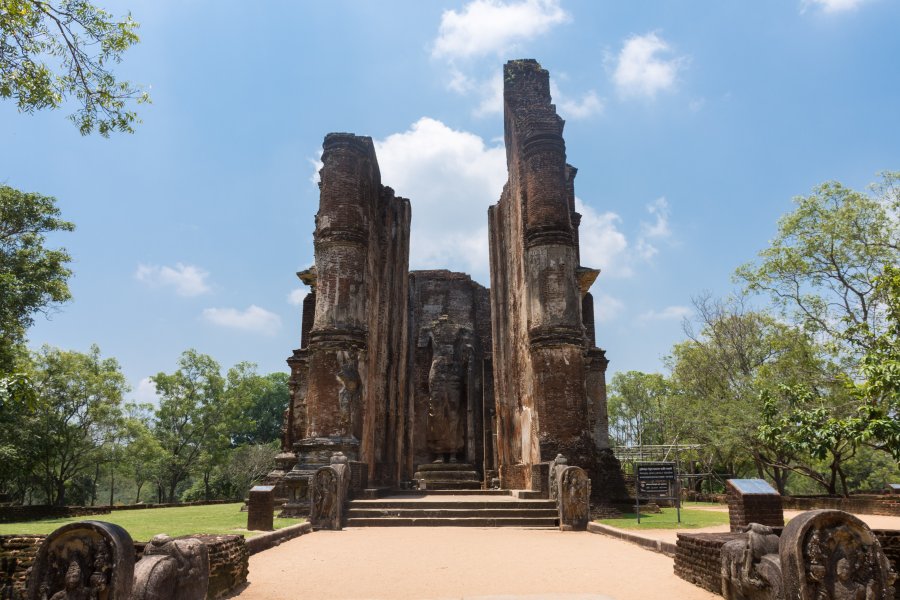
x: 550, y: 393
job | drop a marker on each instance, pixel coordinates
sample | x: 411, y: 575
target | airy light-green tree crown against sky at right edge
x: 822, y: 265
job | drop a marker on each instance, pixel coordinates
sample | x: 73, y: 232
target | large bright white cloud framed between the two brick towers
x: 451, y: 177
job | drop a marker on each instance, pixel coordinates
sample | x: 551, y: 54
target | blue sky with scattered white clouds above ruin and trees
x: 692, y: 124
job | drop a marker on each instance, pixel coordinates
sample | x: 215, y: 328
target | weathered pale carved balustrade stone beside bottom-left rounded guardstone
x: 172, y: 569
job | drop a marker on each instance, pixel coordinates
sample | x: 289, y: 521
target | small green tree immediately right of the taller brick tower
x: 638, y: 409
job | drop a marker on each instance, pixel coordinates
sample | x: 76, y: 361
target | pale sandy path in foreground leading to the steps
x: 463, y: 563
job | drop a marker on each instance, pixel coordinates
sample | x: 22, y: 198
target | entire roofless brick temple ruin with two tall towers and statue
x: 428, y: 375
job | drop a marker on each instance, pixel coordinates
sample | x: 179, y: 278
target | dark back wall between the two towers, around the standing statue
x: 449, y: 314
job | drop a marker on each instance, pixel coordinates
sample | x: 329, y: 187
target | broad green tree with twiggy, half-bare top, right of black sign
x: 716, y: 378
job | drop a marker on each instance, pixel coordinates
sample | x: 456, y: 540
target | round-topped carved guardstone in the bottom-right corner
x: 830, y: 554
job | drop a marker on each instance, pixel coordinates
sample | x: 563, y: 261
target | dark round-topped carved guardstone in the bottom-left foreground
x: 81, y: 561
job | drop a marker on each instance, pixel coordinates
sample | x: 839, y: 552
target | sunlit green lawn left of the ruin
x: 145, y: 523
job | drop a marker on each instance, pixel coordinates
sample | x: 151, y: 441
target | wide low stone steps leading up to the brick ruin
x: 468, y: 509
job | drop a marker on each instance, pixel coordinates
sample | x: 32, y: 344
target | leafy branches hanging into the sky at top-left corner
x: 53, y: 50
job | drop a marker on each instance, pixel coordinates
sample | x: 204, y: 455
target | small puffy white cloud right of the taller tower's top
x: 640, y: 71
